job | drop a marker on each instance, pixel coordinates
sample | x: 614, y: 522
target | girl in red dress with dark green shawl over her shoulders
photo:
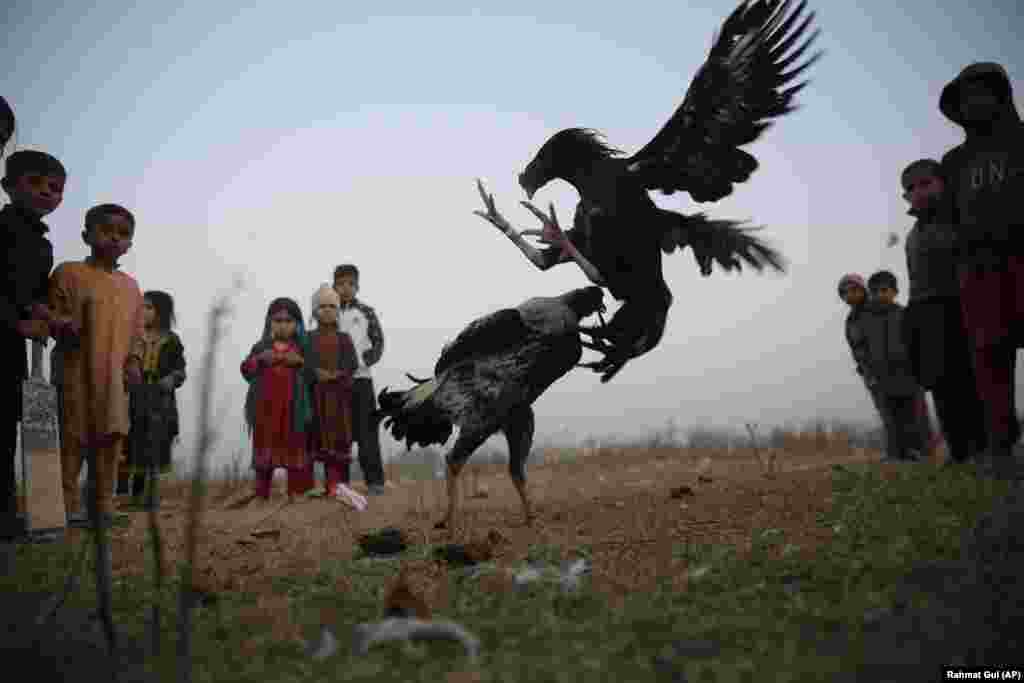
x: 278, y: 409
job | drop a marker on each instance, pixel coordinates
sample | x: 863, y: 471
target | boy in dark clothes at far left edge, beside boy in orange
x: 34, y: 182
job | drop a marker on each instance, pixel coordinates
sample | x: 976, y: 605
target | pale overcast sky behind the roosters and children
x: 275, y: 145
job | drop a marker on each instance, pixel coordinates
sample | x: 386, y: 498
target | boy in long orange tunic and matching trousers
x: 101, y: 359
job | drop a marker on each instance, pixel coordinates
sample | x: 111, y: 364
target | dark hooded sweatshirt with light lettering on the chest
x: 987, y: 172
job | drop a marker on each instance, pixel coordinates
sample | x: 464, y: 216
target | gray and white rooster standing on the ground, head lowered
x: 487, y: 381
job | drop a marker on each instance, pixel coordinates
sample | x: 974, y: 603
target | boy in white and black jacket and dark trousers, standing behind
x: 361, y: 323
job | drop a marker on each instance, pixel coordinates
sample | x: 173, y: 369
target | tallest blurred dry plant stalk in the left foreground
x: 204, y: 444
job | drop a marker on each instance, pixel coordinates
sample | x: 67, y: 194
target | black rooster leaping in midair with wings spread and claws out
x: 619, y: 233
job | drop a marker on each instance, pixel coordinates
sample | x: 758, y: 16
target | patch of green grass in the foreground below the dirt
x: 760, y: 608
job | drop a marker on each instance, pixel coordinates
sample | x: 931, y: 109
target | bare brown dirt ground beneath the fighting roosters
x: 631, y: 507
